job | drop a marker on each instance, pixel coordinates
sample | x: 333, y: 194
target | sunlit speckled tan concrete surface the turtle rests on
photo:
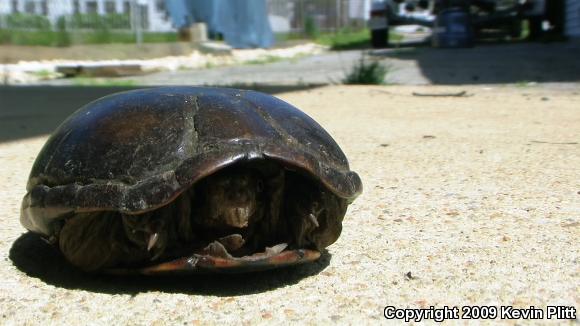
x: 470, y: 200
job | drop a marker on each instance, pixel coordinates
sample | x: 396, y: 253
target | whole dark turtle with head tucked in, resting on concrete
x: 189, y: 180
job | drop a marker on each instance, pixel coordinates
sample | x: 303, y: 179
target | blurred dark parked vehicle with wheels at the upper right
x: 457, y: 23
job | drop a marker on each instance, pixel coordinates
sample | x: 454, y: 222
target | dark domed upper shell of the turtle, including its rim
x: 136, y: 151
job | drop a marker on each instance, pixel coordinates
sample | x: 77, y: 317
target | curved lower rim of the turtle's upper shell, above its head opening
x: 43, y: 205
